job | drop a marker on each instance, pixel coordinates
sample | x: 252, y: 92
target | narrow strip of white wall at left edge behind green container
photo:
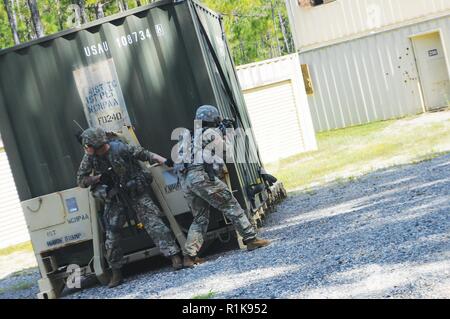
x: 13, y: 229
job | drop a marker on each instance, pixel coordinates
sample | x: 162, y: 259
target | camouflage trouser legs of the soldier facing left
x: 148, y: 213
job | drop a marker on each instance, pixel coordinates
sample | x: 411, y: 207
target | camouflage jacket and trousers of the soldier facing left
x: 123, y: 159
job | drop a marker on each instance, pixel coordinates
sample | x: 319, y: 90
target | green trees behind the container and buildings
x: 256, y: 29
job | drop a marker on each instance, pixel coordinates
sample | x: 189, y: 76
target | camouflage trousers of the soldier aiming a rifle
x: 201, y: 194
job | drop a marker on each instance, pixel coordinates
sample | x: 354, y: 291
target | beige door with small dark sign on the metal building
x: 433, y: 71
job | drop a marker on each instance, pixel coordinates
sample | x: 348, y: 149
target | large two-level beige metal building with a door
x: 373, y: 60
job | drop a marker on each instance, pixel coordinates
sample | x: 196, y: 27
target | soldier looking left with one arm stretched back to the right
x: 103, y: 155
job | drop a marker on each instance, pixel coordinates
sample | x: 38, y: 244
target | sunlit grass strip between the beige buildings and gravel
x: 347, y: 153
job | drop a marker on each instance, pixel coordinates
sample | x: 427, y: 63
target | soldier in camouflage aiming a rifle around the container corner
x: 203, y: 191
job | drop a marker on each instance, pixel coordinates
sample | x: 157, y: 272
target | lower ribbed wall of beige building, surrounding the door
x: 370, y: 78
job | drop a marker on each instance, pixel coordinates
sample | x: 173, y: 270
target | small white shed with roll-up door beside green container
x: 277, y: 104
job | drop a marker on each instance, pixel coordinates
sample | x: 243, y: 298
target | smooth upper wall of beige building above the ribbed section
x: 346, y: 19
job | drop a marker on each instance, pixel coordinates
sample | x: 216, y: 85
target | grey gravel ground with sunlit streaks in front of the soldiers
x: 385, y: 235
